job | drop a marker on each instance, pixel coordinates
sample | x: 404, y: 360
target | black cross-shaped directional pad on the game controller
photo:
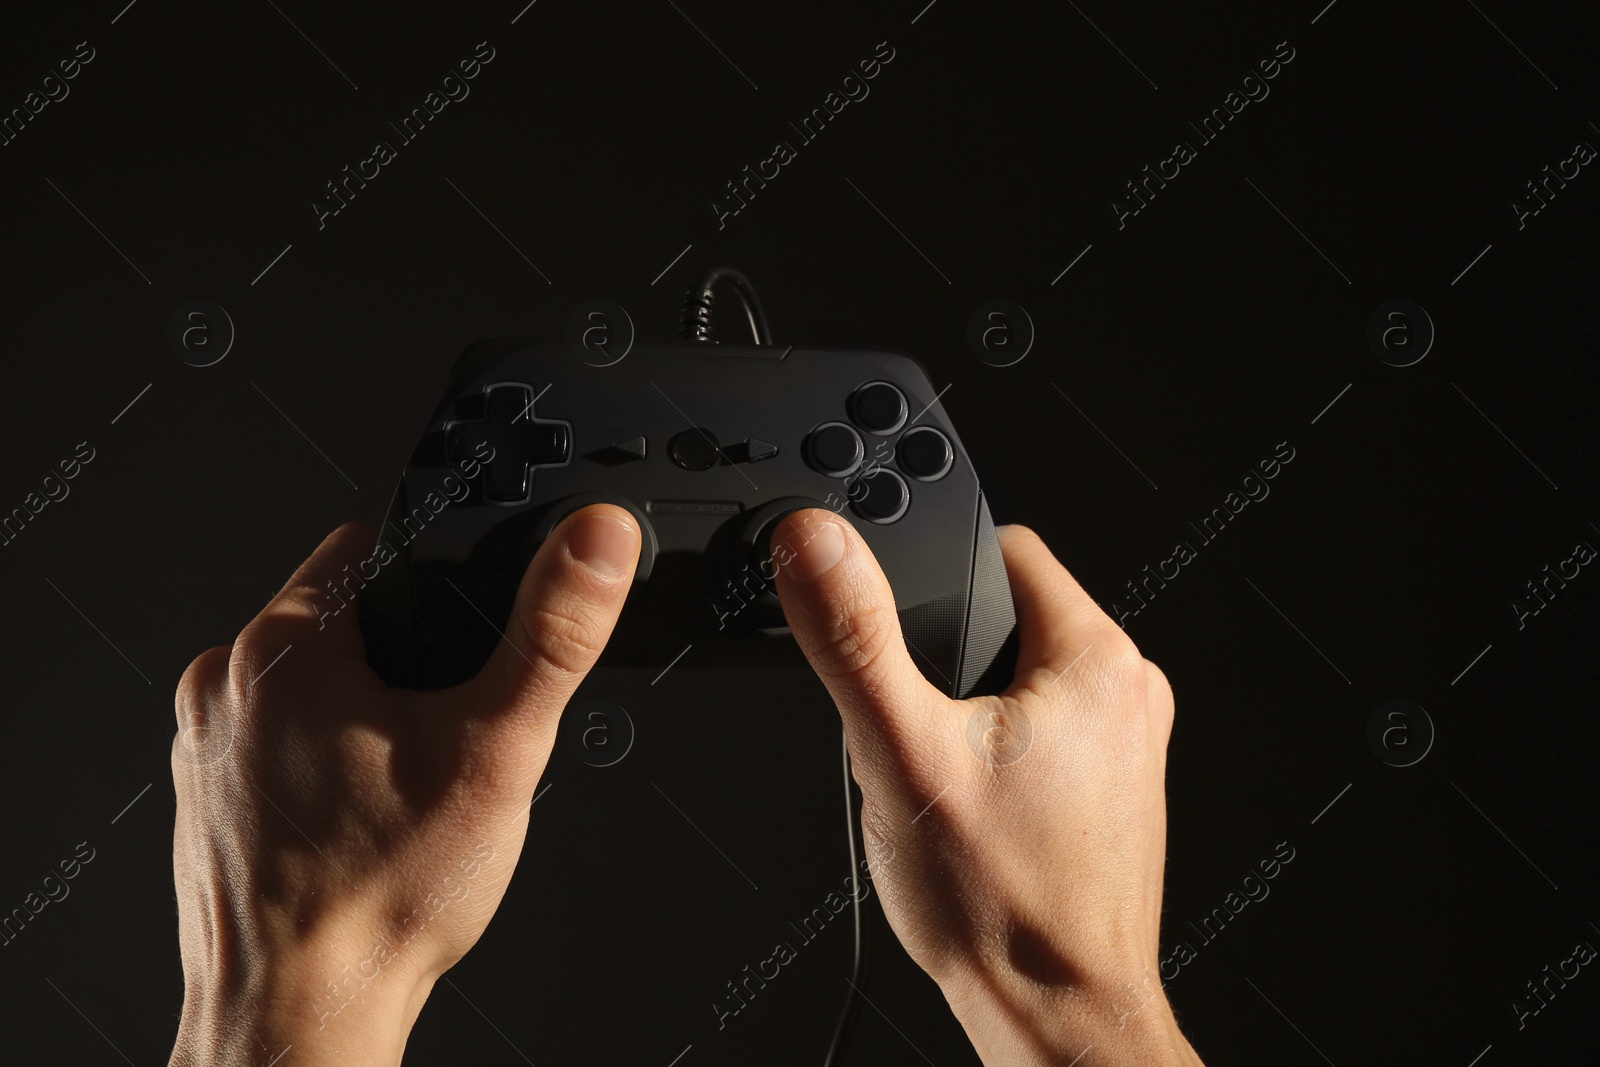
x: 521, y: 442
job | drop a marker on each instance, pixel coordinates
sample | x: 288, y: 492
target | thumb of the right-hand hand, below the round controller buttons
x: 842, y: 613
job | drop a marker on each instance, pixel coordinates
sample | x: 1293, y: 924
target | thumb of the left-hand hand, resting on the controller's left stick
x: 567, y: 607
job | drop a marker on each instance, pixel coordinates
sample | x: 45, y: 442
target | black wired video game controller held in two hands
x: 708, y: 447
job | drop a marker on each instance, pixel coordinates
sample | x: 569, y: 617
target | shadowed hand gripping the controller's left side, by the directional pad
x: 340, y: 844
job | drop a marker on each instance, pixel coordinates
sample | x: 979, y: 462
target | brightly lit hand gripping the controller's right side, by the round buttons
x: 1017, y: 841
